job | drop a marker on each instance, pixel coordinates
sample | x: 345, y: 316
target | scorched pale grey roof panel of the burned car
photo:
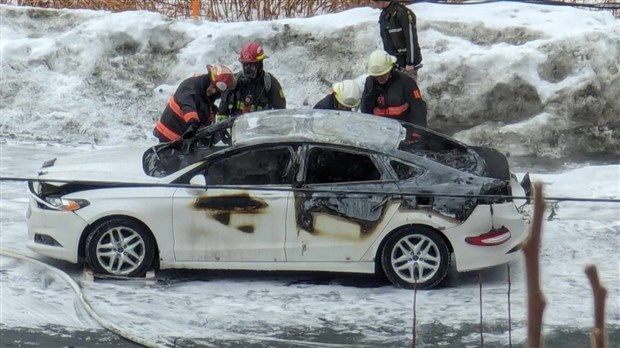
x: 321, y: 126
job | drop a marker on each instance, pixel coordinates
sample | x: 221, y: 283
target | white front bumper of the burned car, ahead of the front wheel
x: 54, y: 233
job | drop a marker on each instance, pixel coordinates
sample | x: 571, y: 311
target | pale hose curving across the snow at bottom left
x: 108, y: 325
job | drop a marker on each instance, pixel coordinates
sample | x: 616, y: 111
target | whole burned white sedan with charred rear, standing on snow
x: 297, y: 190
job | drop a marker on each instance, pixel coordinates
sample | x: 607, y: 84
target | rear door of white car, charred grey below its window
x: 341, y: 205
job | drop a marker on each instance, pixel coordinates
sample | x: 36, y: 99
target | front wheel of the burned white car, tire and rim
x: 120, y: 247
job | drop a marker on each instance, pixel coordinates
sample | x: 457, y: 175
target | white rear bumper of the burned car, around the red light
x: 484, y: 219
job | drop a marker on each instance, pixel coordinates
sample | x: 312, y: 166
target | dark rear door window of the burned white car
x: 328, y: 166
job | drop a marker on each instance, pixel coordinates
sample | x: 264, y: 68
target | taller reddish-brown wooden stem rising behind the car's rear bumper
x: 531, y: 249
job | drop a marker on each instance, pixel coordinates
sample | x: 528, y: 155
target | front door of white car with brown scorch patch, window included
x: 241, y: 214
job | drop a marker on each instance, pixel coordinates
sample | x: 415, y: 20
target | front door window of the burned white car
x: 254, y: 167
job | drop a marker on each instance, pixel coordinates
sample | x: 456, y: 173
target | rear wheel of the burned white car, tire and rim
x: 416, y: 257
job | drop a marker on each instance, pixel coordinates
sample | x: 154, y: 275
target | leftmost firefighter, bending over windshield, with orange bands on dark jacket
x: 192, y: 105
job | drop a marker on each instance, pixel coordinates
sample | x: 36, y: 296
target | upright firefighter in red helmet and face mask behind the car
x: 256, y: 88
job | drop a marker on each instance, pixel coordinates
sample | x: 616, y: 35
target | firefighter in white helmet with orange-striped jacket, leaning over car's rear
x: 392, y: 93
